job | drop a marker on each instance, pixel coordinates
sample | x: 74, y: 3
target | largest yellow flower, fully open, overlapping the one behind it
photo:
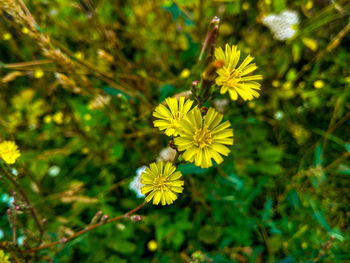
x: 203, y: 138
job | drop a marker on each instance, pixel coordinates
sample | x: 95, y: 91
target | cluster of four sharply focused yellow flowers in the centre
x: 198, y: 133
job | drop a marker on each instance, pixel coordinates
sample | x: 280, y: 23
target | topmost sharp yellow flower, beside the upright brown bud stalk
x: 232, y: 78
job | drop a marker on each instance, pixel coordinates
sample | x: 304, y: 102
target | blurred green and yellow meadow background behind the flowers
x: 283, y: 193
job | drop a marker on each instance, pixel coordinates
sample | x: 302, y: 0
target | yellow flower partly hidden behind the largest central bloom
x: 170, y: 120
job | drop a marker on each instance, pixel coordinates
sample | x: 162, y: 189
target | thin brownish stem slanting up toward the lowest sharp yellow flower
x: 85, y: 230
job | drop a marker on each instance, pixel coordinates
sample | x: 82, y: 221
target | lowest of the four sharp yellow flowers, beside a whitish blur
x: 160, y: 182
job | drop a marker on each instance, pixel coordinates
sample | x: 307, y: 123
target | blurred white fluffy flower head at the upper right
x: 281, y: 25
